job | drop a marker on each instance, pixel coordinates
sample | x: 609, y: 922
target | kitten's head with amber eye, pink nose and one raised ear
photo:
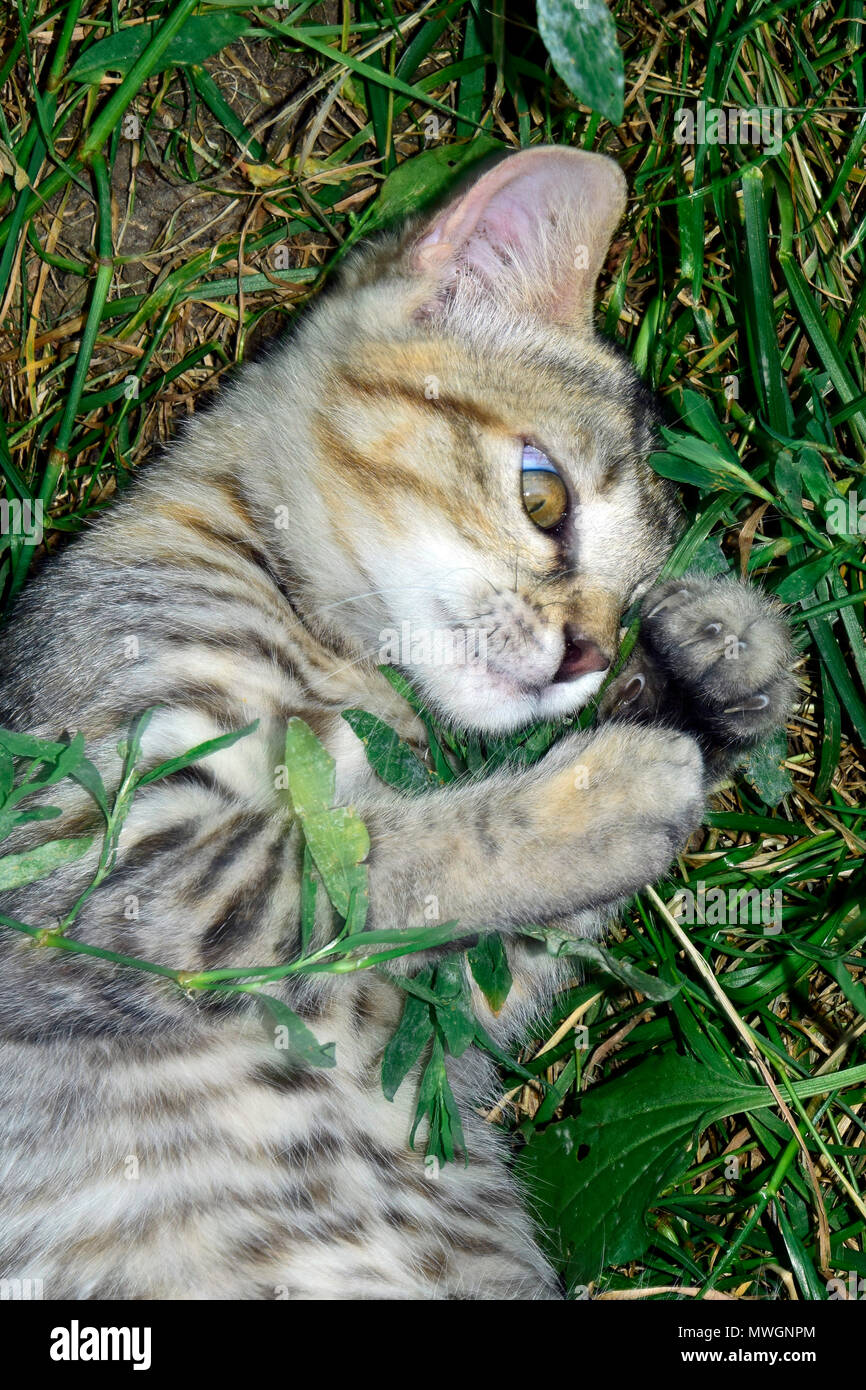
x: 484, y: 512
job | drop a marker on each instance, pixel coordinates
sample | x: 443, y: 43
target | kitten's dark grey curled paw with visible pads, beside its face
x: 714, y: 658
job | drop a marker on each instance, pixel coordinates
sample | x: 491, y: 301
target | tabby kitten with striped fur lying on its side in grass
x: 444, y: 444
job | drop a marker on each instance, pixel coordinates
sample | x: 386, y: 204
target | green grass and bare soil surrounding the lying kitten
x: 736, y: 286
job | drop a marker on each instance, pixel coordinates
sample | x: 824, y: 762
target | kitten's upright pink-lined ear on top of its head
x: 534, y: 230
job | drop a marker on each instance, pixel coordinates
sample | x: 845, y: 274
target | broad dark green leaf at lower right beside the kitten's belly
x: 596, y: 1177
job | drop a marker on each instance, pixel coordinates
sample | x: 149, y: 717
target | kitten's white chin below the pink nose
x: 503, y: 705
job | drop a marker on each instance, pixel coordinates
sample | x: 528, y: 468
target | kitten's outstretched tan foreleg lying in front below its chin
x: 598, y: 818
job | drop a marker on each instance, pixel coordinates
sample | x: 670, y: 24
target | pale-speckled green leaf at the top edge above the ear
x: 585, y: 51
